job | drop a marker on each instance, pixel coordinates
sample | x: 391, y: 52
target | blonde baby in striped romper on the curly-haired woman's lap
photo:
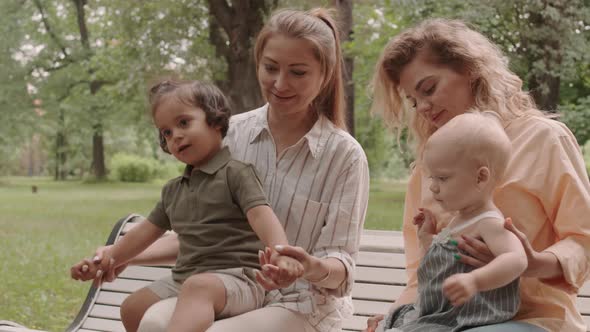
x: 465, y: 160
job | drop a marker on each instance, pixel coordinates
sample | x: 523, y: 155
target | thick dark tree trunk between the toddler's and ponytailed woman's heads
x: 233, y: 29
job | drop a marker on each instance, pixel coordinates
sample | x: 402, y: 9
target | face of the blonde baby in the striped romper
x: 453, y: 179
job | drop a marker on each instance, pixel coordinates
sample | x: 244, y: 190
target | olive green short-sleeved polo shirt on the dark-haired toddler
x: 207, y: 207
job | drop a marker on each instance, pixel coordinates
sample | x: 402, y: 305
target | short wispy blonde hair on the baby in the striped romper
x: 477, y: 138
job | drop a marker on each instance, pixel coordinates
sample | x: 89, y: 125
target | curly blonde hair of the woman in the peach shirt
x: 449, y: 43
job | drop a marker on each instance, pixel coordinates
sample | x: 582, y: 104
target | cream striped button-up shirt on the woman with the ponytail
x: 318, y: 189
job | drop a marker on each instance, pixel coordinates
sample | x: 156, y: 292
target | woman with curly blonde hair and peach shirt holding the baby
x: 439, y: 69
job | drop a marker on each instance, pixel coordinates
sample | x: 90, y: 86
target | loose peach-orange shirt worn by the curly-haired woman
x: 547, y: 194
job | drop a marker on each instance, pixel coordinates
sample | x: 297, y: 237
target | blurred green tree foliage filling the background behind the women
x: 94, y: 82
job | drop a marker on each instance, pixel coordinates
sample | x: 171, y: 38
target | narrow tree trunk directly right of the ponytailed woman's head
x: 344, y: 8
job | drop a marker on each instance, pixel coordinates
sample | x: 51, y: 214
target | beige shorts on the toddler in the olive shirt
x: 242, y: 292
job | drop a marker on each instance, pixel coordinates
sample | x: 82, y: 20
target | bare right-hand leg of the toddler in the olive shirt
x: 201, y: 297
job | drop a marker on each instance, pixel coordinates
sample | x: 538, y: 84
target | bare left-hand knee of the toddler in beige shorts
x: 135, y: 305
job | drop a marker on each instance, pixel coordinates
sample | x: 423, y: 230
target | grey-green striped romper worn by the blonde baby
x: 434, y: 312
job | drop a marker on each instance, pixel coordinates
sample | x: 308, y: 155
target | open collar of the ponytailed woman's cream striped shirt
x: 316, y: 137
